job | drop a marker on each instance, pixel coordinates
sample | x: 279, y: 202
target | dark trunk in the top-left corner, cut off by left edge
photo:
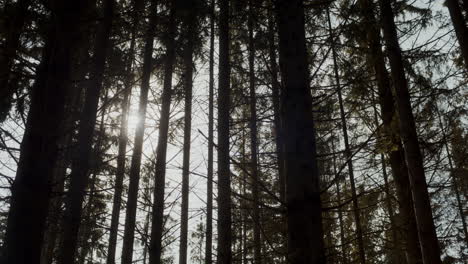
x: 17, y: 15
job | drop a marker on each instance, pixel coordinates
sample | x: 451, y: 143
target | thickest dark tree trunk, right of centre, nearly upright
x: 305, y: 234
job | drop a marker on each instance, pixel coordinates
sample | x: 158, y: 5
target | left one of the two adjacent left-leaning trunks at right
x: 376, y: 60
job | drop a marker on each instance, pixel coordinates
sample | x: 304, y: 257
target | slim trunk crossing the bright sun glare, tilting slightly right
x: 132, y: 198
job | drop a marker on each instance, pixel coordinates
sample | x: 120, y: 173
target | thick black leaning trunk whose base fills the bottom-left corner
x: 31, y: 189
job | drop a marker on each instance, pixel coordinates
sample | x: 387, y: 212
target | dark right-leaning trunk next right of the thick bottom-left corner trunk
x: 80, y: 164
